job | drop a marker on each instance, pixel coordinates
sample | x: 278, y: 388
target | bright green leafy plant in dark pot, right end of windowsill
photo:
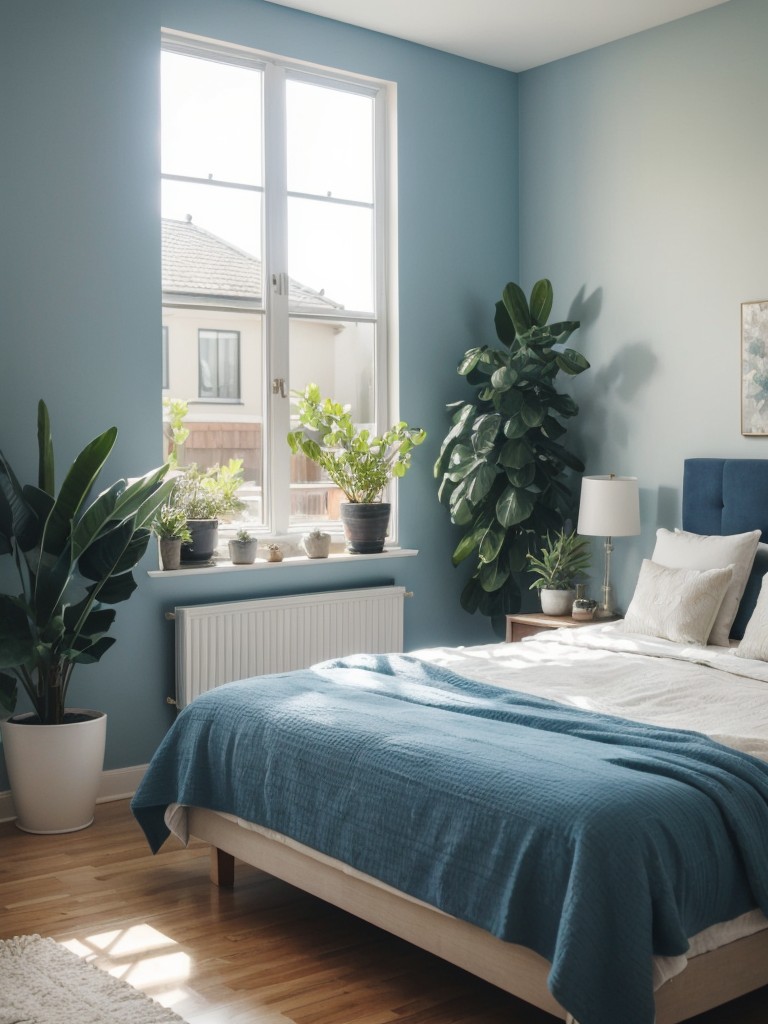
x: 361, y: 465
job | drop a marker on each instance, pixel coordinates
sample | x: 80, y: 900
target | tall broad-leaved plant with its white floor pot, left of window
x: 71, y: 560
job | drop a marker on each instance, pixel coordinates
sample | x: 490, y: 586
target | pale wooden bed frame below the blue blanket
x: 708, y: 982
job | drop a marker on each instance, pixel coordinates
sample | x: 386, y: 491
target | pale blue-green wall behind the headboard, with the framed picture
x: 644, y: 192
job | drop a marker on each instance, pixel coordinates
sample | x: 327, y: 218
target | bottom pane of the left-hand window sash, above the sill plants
x: 220, y: 432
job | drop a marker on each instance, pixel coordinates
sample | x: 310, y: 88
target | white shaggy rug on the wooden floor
x: 44, y: 984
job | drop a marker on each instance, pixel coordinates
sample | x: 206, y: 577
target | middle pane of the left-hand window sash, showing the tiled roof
x: 216, y: 241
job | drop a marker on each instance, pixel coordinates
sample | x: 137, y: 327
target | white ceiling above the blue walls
x: 511, y: 34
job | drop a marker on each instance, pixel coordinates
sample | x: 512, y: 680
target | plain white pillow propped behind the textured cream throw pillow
x: 697, y: 551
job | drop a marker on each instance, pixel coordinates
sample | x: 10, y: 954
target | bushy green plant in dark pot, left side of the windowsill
x: 205, y: 496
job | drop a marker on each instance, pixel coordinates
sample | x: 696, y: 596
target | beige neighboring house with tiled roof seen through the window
x: 214, y: 354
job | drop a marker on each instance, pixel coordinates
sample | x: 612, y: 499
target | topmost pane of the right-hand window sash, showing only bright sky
x: 330, y: 142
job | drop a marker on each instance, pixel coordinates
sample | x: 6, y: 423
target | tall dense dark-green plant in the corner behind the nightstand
x: 502, y: 465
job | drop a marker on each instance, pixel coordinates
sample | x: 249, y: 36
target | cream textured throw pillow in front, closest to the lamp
x: 676, y: 605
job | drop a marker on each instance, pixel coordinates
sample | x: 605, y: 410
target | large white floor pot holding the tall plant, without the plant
x: 55, y: 771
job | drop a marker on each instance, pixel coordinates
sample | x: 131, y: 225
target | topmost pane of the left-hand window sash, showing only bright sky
x: 211, y: 120
